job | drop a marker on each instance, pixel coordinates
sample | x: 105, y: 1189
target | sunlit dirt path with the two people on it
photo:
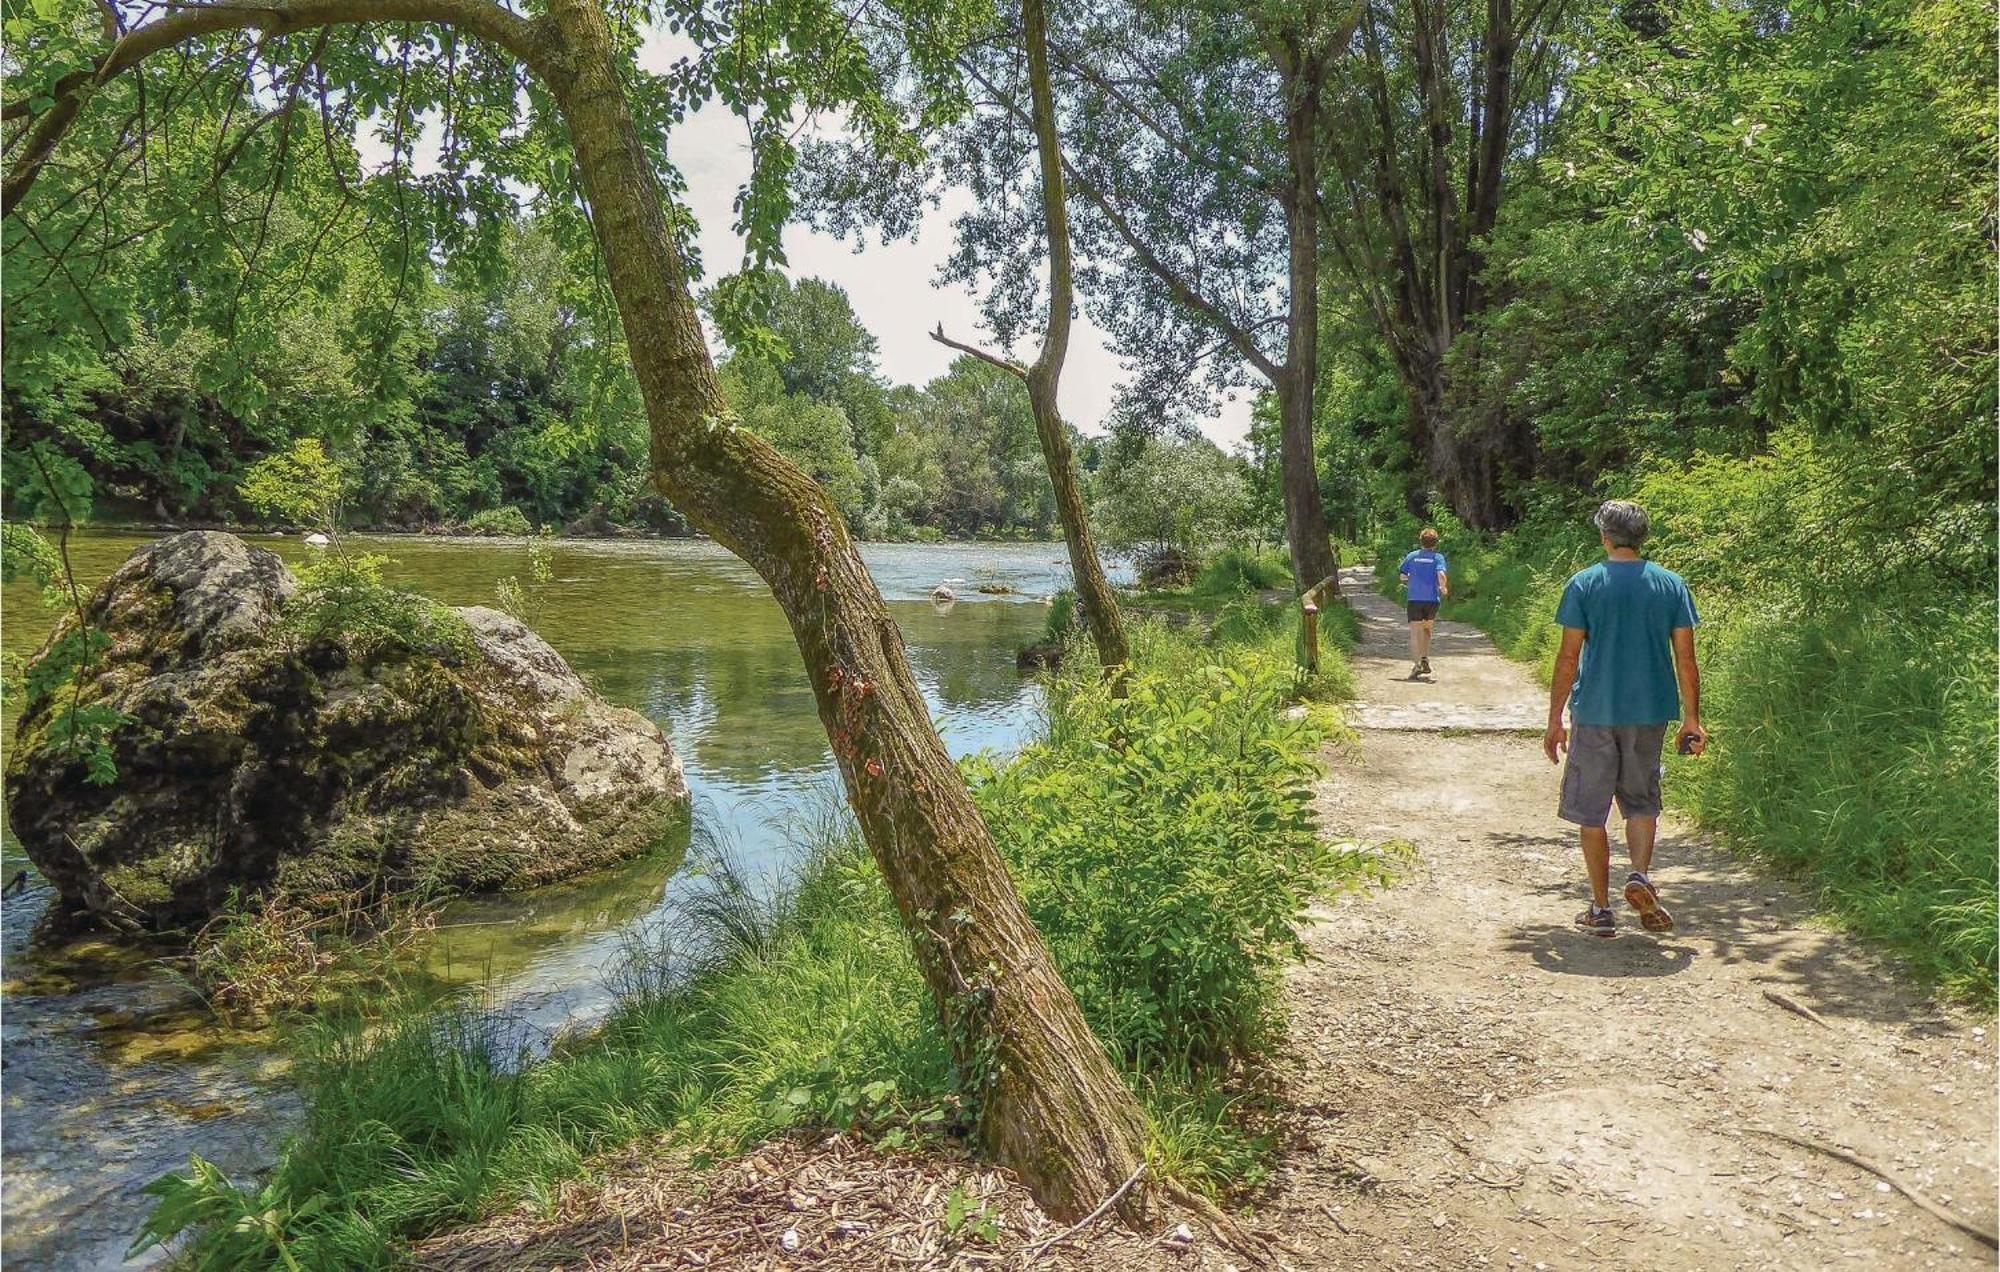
x: 1483, y: 1087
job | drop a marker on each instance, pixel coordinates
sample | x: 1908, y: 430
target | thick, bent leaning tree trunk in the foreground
x: 1053, y: 1107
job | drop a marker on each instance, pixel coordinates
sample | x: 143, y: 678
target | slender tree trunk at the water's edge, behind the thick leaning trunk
x: 1093, y: 591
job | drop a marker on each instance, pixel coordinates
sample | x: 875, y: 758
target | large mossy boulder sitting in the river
x: 269, y: 755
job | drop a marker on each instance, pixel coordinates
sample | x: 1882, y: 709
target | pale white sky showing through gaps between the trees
x: 895, y: 287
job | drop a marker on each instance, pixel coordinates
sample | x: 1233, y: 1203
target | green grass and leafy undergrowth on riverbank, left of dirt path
x: 1161, y: 843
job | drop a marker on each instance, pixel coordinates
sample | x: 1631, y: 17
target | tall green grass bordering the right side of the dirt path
x: 1853, y: 735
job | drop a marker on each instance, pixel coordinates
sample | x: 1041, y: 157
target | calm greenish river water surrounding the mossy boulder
x: 113, y: 1077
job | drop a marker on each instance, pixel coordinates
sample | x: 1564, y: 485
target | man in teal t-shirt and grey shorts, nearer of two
x: 1625, y: 671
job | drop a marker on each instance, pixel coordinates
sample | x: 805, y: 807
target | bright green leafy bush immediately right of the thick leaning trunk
x: 1165, y: 847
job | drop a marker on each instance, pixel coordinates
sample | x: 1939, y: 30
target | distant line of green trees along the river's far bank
x: 497, y: 405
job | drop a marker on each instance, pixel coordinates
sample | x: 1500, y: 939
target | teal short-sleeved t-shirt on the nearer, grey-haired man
x: 1629, y: 613
